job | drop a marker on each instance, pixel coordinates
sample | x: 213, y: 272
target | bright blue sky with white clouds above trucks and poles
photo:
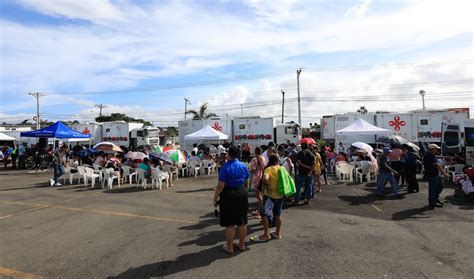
x: 143, y: 57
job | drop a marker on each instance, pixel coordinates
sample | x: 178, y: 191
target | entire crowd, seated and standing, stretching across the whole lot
x: 305, y: 167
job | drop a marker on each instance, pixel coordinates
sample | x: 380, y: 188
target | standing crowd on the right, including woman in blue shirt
x: 308, y: 166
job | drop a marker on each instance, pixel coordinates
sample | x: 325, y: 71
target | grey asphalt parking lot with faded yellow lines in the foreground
x: 73, y: 231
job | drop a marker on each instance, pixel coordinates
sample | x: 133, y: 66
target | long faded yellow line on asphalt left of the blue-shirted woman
x: 100, y: 212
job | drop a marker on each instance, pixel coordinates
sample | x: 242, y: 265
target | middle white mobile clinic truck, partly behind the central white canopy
x: 255, y: 131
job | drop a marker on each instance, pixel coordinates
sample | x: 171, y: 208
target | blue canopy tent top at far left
x: 57, y: 131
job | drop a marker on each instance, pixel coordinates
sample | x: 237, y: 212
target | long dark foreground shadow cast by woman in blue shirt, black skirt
x: 182, y: 263
